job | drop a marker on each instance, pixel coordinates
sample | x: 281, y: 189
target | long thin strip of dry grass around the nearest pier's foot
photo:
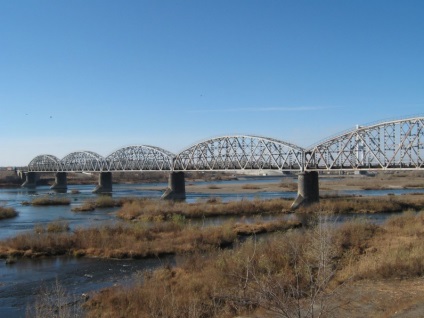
x: 148, y: 209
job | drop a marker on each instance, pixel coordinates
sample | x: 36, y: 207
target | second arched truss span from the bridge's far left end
x: 83, y: 161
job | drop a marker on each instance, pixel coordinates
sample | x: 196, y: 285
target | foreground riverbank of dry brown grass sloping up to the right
x: 329, y: 268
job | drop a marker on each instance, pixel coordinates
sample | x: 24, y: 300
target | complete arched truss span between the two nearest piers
x: 240, y: 153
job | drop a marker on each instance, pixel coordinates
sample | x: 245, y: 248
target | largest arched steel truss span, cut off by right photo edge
x: 395, y: 144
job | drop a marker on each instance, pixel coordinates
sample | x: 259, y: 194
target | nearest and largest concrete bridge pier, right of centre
x: 307, y: 189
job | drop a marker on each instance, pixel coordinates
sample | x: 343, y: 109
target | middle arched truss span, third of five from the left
x: 135, y: 158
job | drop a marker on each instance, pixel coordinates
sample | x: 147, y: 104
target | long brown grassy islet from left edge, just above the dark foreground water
x: 129, y: 240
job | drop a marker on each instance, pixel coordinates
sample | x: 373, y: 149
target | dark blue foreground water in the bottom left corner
x: 21, y: 281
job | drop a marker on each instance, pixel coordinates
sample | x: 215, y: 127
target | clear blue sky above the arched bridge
x: 99, y: 75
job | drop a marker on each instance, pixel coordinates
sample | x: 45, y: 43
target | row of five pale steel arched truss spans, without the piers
x: 390, y: 145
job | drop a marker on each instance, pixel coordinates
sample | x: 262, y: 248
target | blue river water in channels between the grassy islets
x: 20, y: 282
